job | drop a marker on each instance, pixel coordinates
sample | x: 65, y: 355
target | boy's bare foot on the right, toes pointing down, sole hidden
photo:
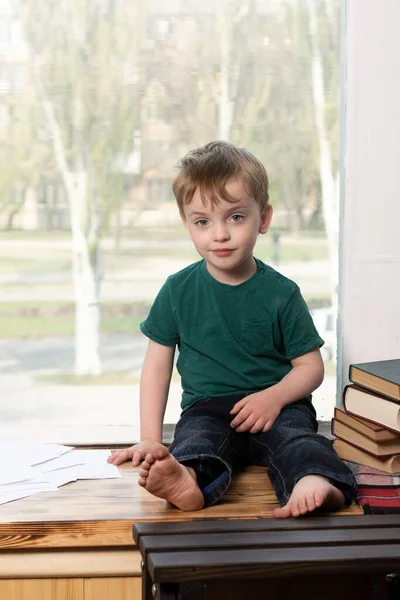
x: 309, y: 493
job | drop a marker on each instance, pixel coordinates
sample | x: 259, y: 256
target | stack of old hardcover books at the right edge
x: 367, y: 427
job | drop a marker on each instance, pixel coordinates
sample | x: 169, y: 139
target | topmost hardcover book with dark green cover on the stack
x: 382, y: 376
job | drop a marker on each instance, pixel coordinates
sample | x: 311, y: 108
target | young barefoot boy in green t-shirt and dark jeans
x: 249, y: 355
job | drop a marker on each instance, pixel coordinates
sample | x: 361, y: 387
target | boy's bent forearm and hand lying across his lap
x: 257, y: 412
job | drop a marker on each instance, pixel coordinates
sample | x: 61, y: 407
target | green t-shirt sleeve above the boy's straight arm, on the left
x: 160, y: 325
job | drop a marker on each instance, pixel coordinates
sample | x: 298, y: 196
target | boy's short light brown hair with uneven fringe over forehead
x: 209, y: 168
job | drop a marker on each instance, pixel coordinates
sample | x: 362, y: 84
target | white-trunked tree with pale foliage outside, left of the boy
x: 81, y: 74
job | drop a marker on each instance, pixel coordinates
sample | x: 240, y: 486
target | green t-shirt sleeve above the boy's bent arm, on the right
x: 298, y: 330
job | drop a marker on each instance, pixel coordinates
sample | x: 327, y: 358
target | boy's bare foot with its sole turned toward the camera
x: 166, y: 478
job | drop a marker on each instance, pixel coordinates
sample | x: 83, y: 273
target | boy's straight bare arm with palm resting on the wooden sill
x: 154, y: 387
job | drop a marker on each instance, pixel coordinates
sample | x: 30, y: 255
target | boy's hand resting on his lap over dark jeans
x: 255, y: 413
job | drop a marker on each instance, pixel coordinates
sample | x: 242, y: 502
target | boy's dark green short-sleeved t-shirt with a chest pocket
x: 232, y: 339
